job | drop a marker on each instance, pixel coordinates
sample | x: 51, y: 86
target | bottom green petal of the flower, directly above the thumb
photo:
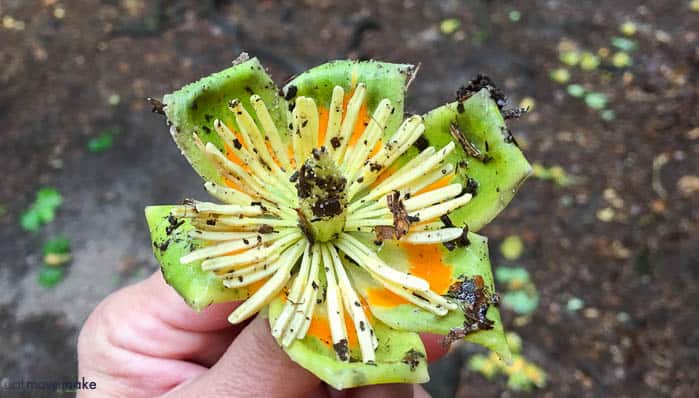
x: 396, y: 351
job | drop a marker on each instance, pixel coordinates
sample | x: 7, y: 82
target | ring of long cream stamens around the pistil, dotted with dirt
x: 294, y: 218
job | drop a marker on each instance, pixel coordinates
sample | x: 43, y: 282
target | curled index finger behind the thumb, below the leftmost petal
x: 150, y: 319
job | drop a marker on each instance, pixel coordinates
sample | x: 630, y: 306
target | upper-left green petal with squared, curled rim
x: 194, y: 107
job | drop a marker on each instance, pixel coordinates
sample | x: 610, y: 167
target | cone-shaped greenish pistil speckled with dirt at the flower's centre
x: 322, y: 197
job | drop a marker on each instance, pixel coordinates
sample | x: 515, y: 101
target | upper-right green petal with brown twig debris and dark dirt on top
x: 498, y: 179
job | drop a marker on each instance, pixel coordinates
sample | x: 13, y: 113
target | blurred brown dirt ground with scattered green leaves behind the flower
x: 596, y: 258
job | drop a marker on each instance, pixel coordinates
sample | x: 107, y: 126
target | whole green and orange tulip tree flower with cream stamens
x: 349, y: 225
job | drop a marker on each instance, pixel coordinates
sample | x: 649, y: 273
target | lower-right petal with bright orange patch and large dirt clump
x: 467, y: 261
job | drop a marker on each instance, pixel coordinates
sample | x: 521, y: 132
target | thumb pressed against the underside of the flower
x: 253, y: 366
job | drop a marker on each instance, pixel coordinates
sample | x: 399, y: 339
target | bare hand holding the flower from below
x: 144, y: 341
